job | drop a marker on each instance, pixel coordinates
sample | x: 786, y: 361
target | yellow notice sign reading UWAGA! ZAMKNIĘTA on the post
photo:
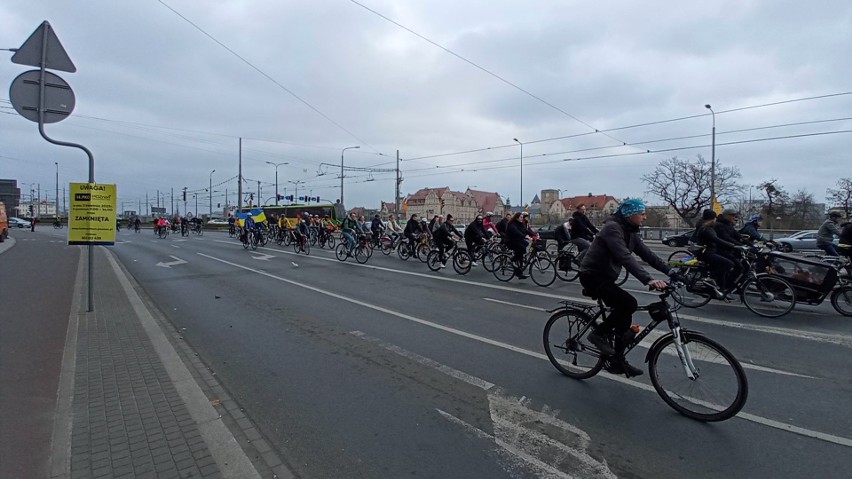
x: 91, y: 219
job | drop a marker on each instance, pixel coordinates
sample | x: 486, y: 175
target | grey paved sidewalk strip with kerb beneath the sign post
x: 127, y: 404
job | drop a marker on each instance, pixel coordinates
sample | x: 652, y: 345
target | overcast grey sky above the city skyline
x: 161, y: 104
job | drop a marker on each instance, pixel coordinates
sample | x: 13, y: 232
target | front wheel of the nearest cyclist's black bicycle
x: 719, y: 389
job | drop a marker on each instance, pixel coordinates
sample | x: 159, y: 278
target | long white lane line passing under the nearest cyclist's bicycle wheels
x: 749, y: 417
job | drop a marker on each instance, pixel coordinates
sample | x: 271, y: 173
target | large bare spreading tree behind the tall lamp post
x: 685, y: 185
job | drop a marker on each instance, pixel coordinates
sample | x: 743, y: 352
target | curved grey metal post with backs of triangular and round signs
x: 43, y: 97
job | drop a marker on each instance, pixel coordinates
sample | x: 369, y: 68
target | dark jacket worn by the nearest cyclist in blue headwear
x: 613, y: 248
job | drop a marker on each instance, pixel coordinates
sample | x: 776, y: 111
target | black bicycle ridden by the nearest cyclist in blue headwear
x: 693, y: 374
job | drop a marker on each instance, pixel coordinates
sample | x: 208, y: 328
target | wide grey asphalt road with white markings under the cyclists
x: 390, y: 370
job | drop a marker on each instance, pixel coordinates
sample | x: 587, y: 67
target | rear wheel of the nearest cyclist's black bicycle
x: 566, y: 349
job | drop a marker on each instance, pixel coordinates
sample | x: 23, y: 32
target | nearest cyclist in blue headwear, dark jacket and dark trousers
x: 612, y: 249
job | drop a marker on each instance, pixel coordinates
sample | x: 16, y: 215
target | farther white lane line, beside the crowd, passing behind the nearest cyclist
x: 830, y: 338
